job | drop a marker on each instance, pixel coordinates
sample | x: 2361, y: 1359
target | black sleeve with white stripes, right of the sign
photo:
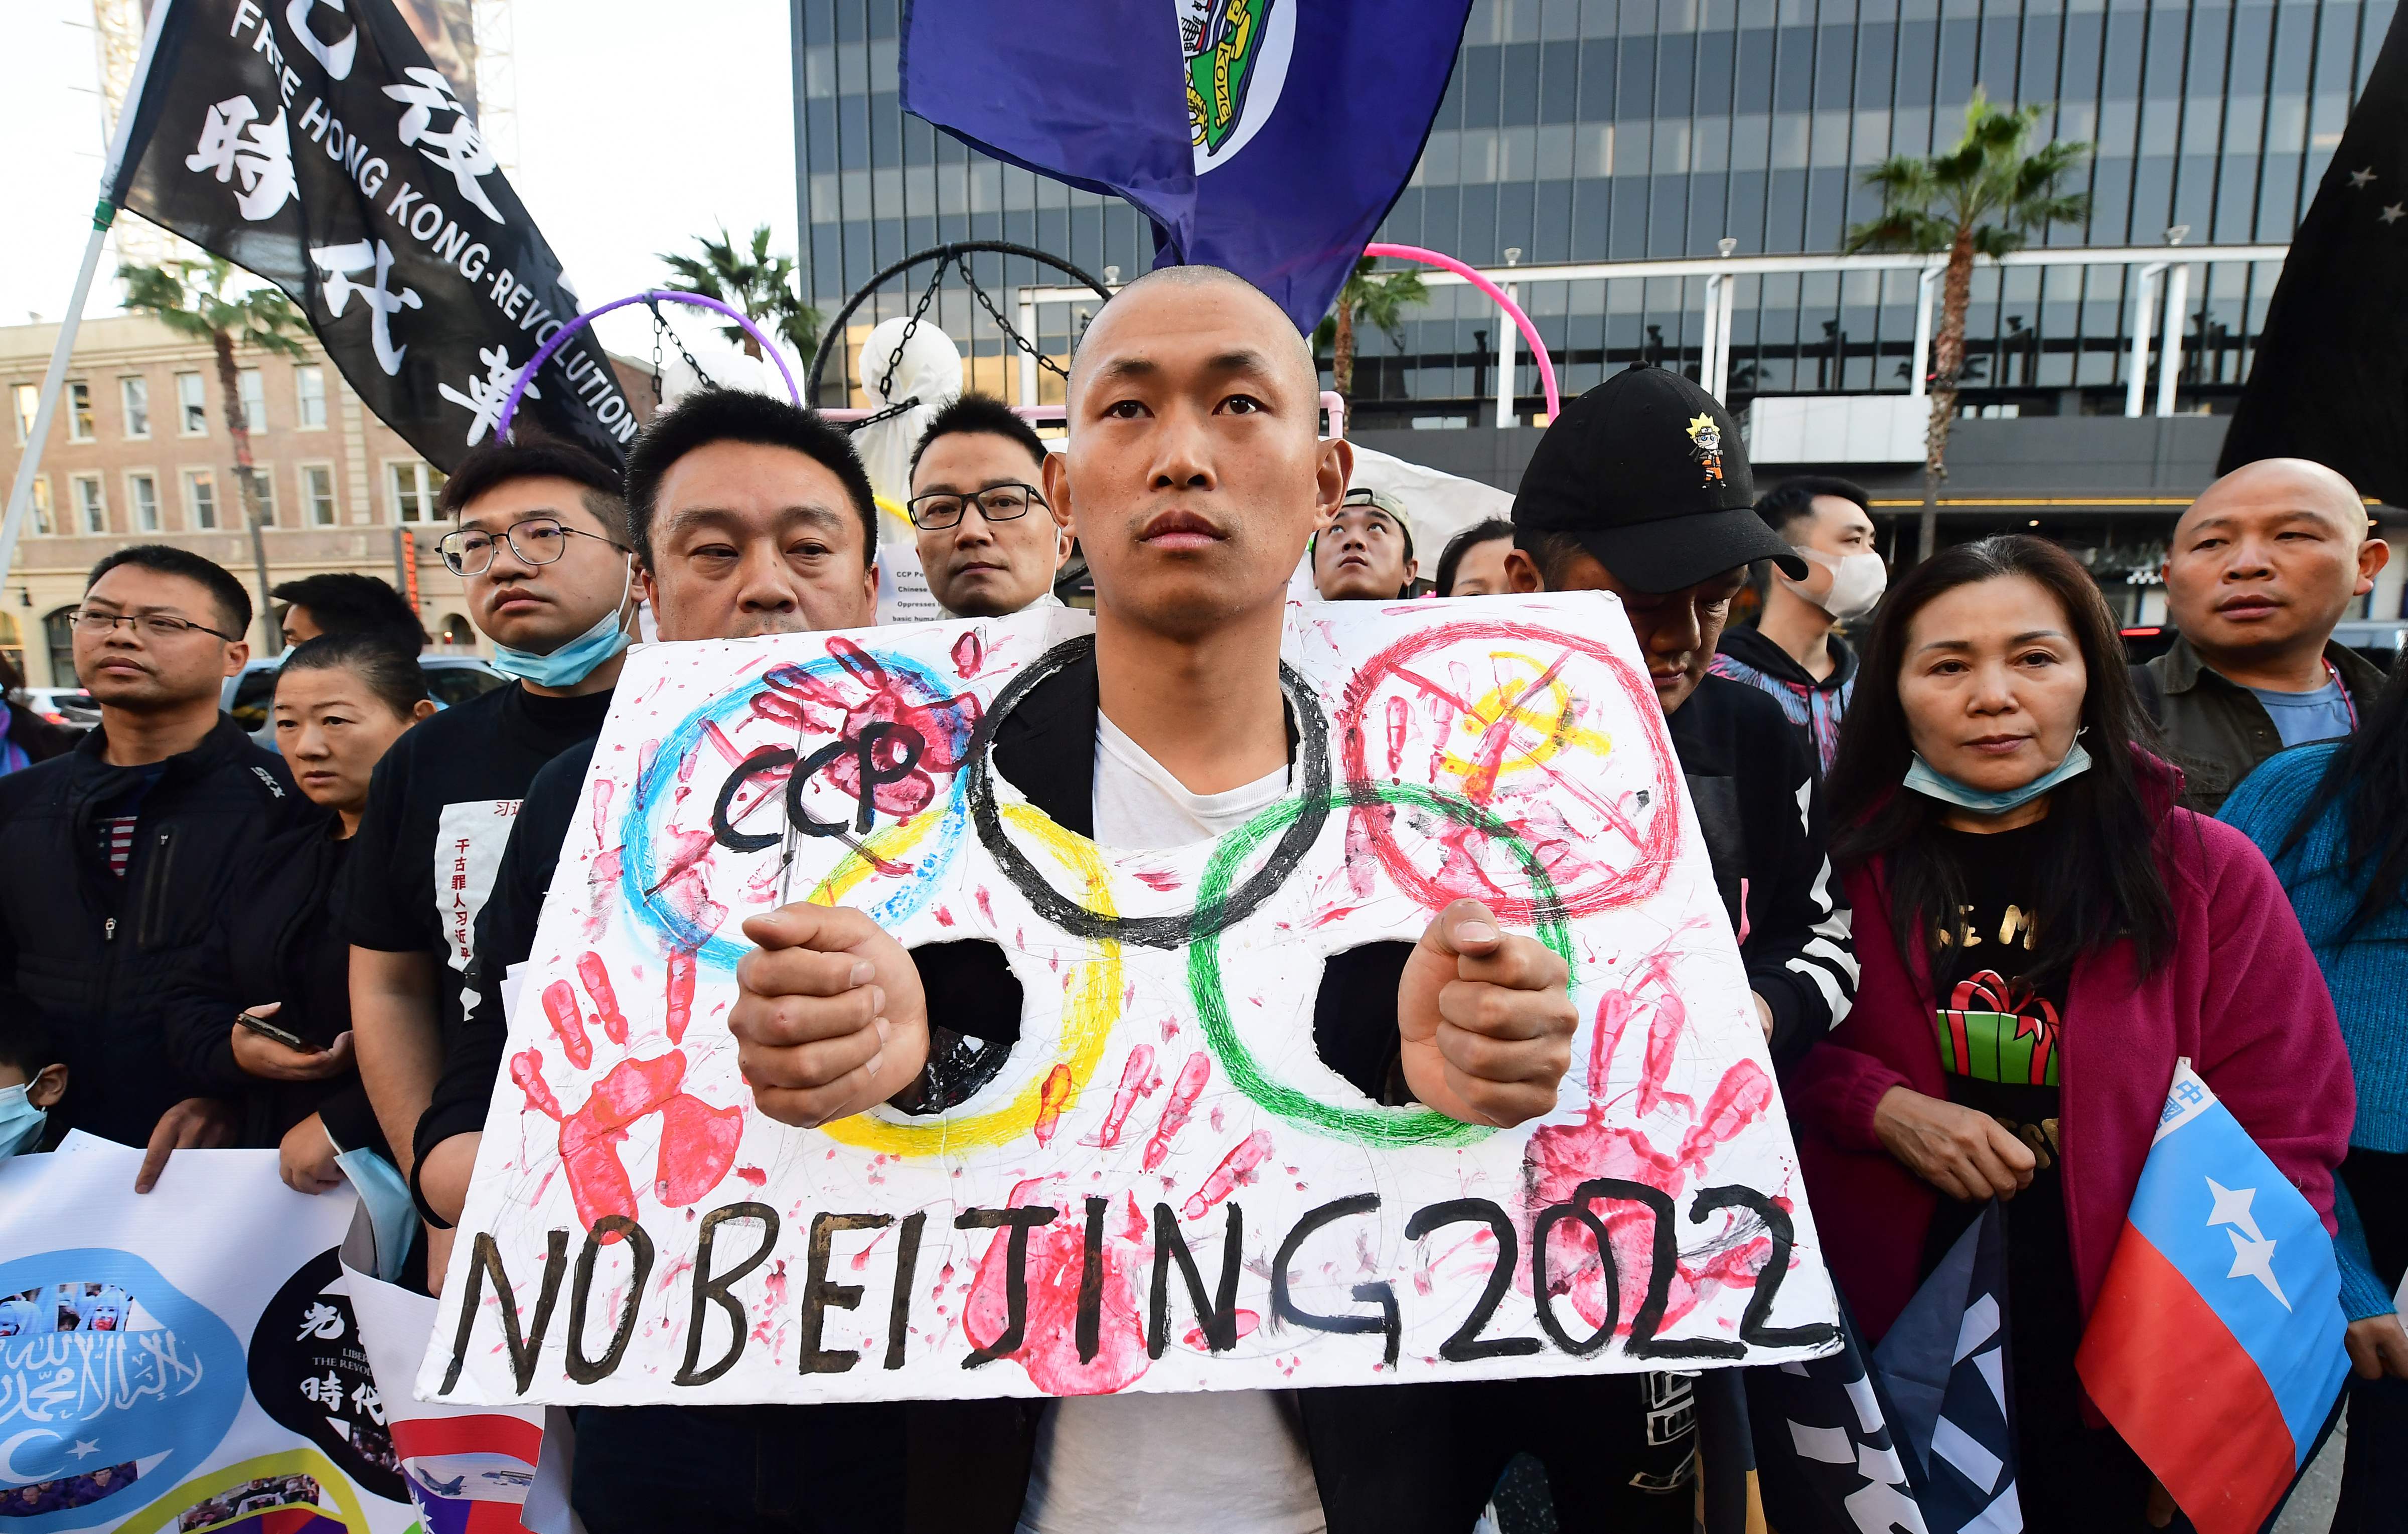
x: 1761, y: 810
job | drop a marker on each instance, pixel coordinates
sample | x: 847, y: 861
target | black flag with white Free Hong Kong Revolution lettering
x: 317, y: 146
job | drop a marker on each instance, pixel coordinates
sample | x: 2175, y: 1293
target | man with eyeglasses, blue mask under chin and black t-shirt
x: 543, y: 550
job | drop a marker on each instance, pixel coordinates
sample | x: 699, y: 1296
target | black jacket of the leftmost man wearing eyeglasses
x: 95, y: 957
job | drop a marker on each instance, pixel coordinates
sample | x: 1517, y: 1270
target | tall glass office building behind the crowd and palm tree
x: 1583, y: 134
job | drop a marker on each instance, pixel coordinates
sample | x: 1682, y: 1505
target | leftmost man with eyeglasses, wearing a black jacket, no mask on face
x: 119, y: 851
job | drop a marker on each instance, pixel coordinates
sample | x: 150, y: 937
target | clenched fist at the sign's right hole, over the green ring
x: 1485, y: 1017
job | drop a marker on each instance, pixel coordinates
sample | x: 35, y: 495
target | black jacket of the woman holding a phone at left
x: 276, y: 943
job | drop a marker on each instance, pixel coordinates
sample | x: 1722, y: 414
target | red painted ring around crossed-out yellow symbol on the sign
x: 1658, y: 842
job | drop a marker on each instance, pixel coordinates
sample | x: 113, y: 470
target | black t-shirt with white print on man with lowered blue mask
x: 439, y: 815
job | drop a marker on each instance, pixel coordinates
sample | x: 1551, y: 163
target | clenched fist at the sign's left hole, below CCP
x: 830, y: 1017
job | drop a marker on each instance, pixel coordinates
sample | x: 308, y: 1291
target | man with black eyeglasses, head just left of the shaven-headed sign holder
x: 986, y: 536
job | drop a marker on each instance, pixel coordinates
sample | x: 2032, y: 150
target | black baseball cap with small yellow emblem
x: 1648, y: 473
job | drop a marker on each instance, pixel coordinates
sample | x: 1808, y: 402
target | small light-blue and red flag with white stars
x: 2214, y: 1345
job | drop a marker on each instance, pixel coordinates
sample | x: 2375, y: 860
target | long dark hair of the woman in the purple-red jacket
x: 2099, y: 839
